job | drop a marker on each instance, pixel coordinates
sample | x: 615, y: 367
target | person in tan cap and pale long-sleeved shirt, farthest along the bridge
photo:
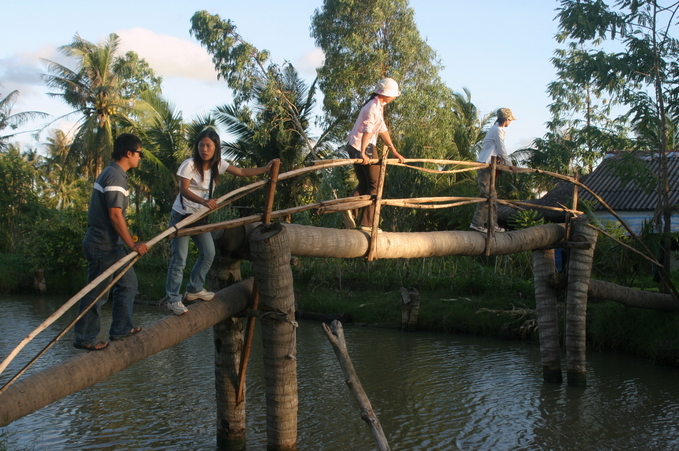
x: 493, y: 146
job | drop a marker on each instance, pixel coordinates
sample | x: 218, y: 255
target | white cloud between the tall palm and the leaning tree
x: 169, y: 56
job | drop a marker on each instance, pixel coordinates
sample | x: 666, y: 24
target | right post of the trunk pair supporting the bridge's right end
x: 579, y: 270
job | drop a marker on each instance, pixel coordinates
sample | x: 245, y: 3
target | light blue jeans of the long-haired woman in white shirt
x: 180, y: 251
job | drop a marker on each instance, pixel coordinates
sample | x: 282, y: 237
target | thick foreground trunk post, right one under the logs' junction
x: 270, y: 247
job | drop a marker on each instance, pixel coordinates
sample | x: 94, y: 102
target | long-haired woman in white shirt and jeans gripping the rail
x: 198, y: 177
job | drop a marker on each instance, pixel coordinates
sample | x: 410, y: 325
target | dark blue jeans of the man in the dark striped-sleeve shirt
x: 124, y: 291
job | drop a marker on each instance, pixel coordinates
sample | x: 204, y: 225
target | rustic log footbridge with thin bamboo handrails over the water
x: 269, y: 296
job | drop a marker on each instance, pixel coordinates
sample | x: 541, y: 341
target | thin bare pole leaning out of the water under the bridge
x: 335, y: 334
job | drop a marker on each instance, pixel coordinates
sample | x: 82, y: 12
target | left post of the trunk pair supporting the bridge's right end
x: 548, y: 319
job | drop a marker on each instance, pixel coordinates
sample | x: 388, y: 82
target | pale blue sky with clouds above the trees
x: 499, y: 50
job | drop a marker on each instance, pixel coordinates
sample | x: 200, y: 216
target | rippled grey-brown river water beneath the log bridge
x: 430, y: 392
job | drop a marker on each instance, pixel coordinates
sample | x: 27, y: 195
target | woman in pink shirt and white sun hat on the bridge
x: 362, y: 142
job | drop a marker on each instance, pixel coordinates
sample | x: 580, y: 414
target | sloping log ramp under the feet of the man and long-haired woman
x: 44, y: 387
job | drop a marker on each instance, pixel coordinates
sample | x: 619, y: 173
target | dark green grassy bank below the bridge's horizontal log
x: 491, y: 297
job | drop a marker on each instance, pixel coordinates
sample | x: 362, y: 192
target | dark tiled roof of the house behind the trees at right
x: 629, y: 196
